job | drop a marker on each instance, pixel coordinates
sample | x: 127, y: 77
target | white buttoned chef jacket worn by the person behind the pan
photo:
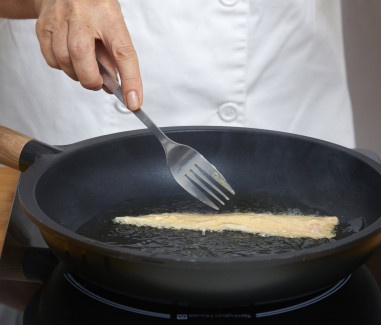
x: 269, y: 64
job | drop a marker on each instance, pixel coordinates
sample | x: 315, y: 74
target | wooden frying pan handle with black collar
x: 19, y: 151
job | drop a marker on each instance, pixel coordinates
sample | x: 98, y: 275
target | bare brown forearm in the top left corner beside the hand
x: 18, y: 9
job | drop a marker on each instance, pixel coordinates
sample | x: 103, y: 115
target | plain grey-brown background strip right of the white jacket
x: 362, y: 41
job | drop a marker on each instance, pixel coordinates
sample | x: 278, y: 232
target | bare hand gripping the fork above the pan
x: 72, y: 32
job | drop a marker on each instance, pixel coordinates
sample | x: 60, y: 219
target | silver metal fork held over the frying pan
x: 188, y: 167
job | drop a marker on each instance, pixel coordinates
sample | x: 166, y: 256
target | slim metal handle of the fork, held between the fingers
x: 113, y: 85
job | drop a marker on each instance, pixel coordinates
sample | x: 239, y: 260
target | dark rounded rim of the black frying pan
x: 29, y: 180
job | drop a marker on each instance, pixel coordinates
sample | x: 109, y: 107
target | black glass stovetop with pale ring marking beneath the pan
x: 67, y: 299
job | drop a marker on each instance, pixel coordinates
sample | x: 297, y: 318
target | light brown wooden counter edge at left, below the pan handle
x: 8, y: 183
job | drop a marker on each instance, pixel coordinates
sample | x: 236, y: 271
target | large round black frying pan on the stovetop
x: 67, y: 187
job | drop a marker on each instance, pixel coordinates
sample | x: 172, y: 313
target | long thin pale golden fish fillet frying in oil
x: 292, y: 226
